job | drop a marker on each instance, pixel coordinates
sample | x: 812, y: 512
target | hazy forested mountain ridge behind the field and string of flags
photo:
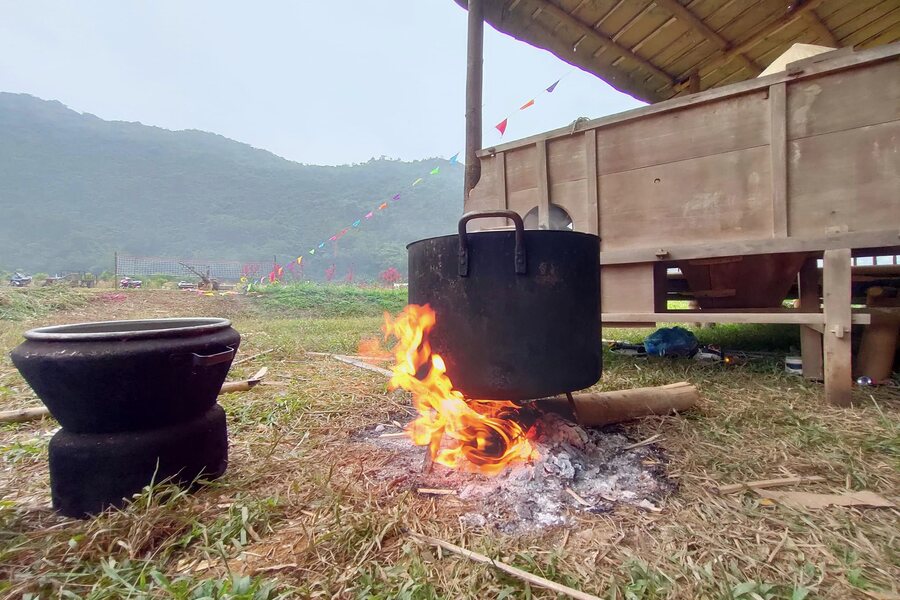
x: 75, y: 188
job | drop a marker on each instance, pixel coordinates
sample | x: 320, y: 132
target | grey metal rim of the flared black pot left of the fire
x: 127, y: 329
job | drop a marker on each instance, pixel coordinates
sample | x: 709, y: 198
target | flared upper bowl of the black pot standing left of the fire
x: 119, y: 376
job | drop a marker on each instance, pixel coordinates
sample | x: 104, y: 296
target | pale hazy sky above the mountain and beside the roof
x: 316, y: 82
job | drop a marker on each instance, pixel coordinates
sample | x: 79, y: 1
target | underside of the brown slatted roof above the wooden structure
x: 654, y: 50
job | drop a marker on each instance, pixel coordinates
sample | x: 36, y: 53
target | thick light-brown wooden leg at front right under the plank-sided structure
x: 836, y: 301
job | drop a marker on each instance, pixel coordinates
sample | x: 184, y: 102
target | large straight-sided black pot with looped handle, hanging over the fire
x: 517, y: 312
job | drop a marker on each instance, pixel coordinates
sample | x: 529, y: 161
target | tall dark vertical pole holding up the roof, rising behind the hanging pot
x: 474, y: 69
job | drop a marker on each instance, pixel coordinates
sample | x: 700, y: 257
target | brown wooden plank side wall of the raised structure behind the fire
x: 801, y: 159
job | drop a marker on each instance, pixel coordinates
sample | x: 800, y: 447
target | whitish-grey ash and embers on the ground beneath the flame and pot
x: 578, y: 471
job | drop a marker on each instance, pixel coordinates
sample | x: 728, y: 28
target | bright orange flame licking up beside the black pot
x: 471, y: 435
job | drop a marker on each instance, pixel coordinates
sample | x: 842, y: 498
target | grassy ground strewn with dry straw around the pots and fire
x: 298, y: 513
